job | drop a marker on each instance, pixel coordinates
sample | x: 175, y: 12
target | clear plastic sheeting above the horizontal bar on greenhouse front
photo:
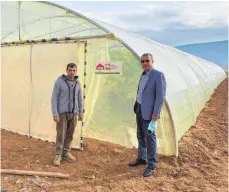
x: 23, y: 21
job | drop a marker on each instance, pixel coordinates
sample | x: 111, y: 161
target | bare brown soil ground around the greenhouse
x: 201, y: 166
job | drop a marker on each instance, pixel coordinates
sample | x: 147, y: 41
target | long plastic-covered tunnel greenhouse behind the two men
x: 39, y: 39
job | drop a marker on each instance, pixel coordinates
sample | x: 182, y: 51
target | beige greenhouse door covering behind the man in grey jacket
x: 31, y: 73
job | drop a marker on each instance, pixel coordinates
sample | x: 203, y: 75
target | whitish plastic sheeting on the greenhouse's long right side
x: 190, y: 80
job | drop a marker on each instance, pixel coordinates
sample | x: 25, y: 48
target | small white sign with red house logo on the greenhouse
x: 108, y: 67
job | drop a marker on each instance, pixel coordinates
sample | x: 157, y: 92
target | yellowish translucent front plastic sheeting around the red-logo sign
x: 110, y: 98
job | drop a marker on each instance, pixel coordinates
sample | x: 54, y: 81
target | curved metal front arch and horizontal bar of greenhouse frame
x: 110, y: 35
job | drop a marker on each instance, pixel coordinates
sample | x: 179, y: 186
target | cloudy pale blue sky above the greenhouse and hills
x: 171, y: 23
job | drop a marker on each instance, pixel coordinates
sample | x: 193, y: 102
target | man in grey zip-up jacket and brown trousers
x: 67, y: 105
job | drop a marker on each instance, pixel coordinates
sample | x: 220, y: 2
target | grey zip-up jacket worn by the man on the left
x: 62, y: 101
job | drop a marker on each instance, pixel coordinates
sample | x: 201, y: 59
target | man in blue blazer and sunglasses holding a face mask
x: 149, y: 101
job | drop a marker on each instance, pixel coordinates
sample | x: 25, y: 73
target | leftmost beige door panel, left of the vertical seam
x: 16, y: 88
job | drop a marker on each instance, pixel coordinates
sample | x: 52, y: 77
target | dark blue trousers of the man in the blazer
x: 147, y: 143
